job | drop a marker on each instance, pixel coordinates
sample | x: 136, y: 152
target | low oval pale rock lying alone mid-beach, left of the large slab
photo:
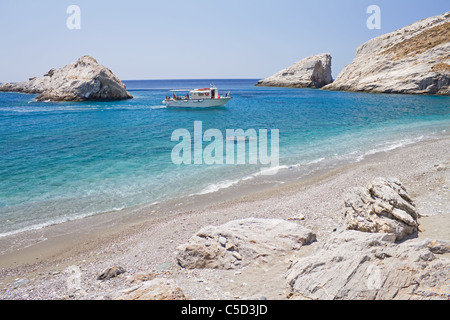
x: 242, y: 242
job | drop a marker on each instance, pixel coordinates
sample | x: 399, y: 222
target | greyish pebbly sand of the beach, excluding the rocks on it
x: 143, y: 240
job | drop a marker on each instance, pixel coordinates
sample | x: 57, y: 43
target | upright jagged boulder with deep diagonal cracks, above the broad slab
x: 382, y: 206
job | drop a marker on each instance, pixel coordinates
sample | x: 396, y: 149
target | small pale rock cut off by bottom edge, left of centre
x: 156, y: 289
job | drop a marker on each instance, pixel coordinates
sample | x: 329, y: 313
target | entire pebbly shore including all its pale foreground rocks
x: 291, y: 243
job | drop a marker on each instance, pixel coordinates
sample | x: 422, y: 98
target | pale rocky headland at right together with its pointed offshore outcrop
x: 412, y: 60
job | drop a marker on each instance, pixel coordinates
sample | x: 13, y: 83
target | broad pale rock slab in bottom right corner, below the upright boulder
x: 359, y: 265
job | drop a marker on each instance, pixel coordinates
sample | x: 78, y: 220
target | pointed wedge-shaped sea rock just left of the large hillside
x: 311, y: 72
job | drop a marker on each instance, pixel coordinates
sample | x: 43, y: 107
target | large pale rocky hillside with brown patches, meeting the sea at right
x: 414, y: 59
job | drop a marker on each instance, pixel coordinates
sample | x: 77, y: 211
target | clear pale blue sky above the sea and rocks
x: 187, y: 39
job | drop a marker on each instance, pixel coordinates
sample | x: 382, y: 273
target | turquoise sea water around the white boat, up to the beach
x: 60, y: 161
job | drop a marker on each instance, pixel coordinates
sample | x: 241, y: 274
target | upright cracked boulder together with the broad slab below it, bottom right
x: 365, y: 260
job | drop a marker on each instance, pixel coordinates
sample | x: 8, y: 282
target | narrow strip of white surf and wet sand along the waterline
x: 225, y: 189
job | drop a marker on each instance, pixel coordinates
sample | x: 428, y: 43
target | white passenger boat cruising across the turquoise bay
x: 197, y: 98
